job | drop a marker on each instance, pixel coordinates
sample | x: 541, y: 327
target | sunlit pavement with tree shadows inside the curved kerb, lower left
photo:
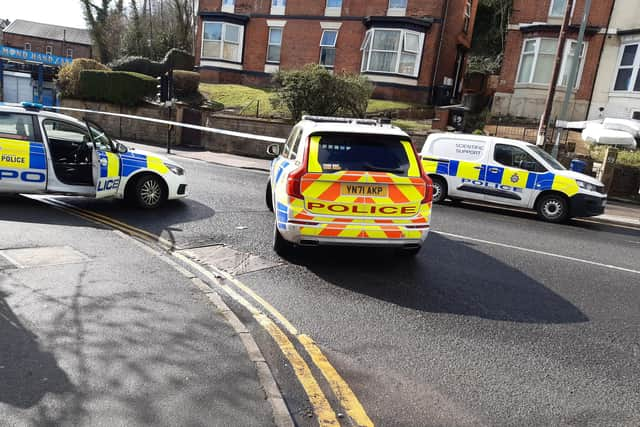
x: 94, y: 330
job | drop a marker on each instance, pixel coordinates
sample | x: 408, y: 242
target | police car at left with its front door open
x: 45, y: 152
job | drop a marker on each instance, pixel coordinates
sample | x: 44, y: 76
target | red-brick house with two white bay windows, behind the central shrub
x: 405, y: 47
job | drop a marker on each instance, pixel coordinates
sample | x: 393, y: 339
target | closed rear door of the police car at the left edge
x: 23, y: 161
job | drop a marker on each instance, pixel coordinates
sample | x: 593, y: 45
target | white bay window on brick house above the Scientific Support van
x: 538, y: 58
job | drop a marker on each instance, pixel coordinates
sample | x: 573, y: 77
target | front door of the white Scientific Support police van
x: 512, y: 173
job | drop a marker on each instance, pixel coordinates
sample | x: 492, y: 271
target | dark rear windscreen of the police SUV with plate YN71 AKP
x: 362, y: 152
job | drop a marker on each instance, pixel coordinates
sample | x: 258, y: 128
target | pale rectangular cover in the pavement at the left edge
x: 37, y: 257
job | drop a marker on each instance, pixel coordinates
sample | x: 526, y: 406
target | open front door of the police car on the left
x: 106, y: 163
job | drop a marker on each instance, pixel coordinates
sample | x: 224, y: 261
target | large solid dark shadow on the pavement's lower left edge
x: 27, y: 373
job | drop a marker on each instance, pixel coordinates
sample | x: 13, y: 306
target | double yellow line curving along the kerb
x: 325, y: 414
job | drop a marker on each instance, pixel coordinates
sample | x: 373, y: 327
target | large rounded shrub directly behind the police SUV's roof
x: 314, y: 90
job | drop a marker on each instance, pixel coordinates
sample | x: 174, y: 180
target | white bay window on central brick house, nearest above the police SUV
x: 393, y: 51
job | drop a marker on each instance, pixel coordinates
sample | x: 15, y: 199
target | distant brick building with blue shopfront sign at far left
x: 30, y: 56
